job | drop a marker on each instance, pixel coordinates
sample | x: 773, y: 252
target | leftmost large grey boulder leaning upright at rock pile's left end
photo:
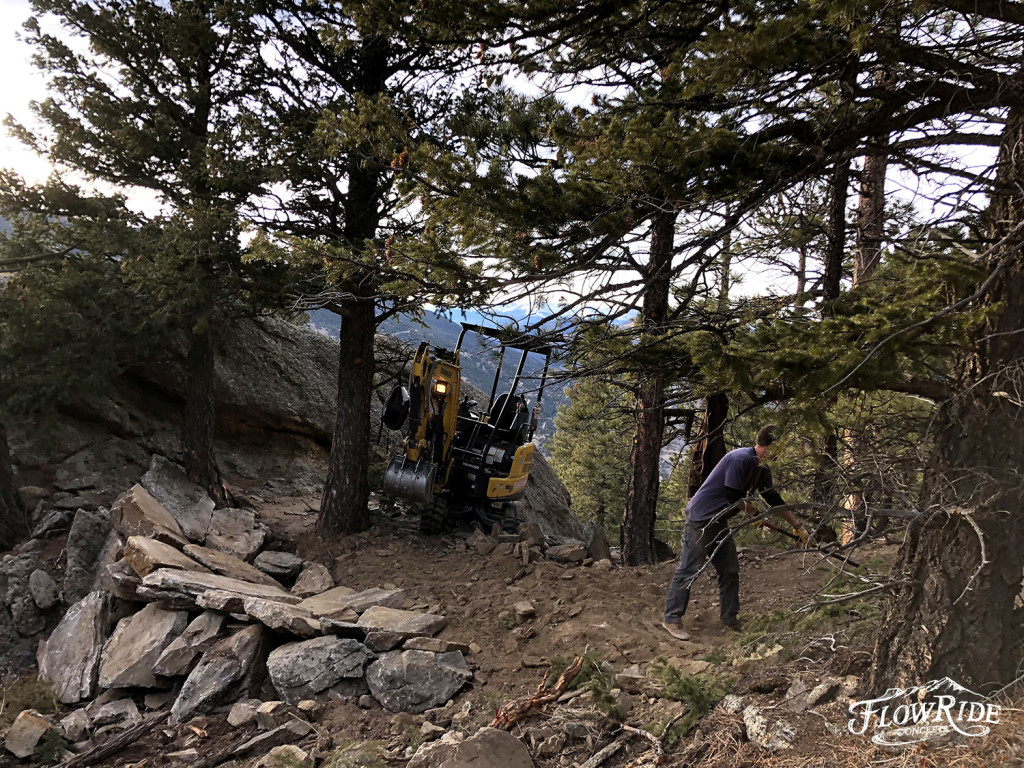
x: 70, y: 659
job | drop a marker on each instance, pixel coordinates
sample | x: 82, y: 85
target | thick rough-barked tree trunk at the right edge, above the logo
x: 960, y: 614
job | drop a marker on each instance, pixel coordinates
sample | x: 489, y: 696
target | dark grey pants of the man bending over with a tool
x: 701, y: 541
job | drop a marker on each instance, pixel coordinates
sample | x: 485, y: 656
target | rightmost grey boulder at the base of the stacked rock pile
x: 417, y: 680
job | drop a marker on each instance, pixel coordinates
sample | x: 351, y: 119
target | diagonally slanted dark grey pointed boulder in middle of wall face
x: 229, y: 671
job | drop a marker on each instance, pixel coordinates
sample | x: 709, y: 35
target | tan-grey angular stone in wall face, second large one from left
x: 137, y: 645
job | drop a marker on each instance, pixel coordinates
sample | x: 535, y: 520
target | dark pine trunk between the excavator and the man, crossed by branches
x: 642, y: 492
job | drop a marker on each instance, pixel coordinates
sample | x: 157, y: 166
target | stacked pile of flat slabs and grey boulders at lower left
x: 192, y: 617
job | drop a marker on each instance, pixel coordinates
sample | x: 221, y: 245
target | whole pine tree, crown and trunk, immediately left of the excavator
x: 364, y: 98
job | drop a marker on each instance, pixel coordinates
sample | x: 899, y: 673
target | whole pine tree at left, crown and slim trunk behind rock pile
x: 163, y: 97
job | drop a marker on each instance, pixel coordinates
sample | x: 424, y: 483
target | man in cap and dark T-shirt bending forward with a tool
x: 707, y: 533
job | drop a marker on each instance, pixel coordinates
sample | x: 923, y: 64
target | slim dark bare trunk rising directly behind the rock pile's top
x: 198, y: 431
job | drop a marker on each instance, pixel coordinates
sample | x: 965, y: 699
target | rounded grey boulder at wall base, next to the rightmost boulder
x: 306, y: 670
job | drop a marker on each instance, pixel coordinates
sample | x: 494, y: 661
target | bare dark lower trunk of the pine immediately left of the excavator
x: 345, y: 506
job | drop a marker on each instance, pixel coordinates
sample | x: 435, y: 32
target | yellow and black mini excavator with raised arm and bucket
x: 458, y: 459
